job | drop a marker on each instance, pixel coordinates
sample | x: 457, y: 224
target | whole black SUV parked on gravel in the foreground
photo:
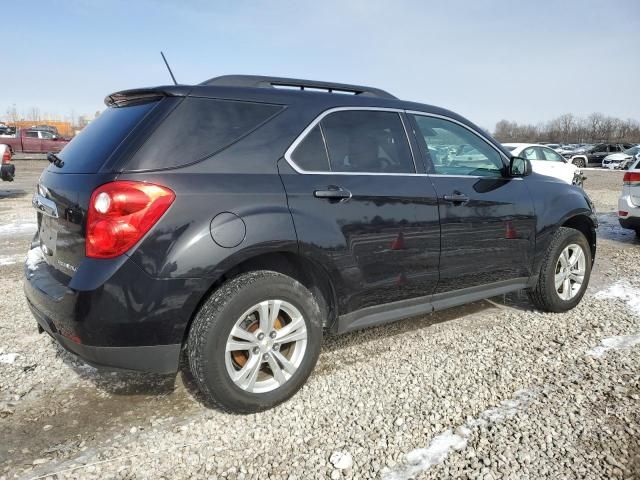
x: 235, y: 221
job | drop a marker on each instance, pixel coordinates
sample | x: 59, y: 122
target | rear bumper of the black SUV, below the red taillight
x: 130, y: 321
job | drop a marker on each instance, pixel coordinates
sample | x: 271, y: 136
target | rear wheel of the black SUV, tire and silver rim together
x: 255, y: 341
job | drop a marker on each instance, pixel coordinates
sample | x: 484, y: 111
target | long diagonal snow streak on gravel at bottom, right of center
x: 422, y: 459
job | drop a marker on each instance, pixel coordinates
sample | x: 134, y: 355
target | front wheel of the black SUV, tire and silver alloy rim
x: 565, y: 272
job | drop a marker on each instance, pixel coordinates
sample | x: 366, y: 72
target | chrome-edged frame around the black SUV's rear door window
x: 321, y: 116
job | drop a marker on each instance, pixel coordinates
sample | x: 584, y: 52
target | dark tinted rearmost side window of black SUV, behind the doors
x: 199, y: 128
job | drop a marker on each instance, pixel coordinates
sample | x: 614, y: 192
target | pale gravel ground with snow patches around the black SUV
x: 491, y: 390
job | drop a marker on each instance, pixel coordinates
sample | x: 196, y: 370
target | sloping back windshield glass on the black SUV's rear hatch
x: 89, y: 150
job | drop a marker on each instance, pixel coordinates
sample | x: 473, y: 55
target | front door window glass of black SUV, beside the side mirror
x: 455, y: 150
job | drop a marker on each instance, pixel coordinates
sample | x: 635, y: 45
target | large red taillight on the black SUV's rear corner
x: 120, y: 213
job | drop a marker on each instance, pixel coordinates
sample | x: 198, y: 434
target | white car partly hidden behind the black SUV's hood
x: 546, y: 161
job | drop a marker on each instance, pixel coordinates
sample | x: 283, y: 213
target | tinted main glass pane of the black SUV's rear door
x: 367, y: 141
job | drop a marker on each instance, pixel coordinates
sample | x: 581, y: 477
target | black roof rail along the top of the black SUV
x: 257, y: 81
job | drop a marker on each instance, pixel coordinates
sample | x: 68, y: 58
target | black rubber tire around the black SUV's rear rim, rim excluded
x: 213, y: 323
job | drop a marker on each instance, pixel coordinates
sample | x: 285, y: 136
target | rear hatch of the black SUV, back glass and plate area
x: 66, y: 185
